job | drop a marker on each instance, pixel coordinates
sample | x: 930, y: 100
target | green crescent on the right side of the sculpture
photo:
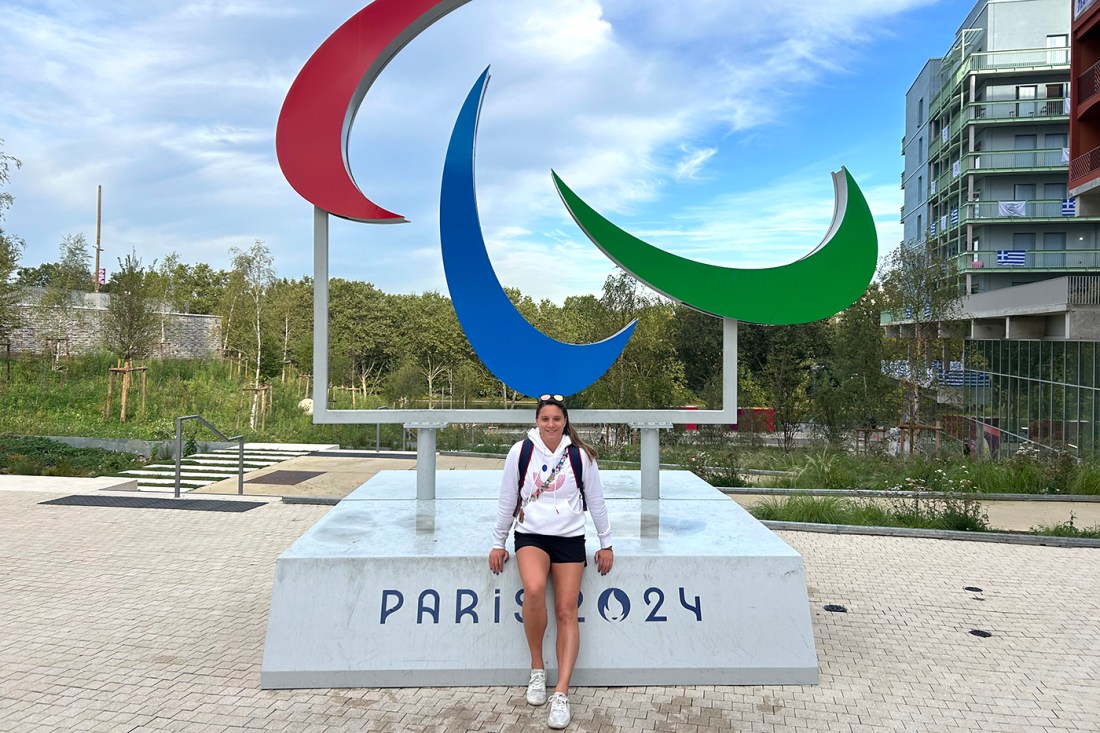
x: 820, y: 286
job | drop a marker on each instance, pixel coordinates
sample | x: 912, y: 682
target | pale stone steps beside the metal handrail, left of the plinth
x: 200, y: 471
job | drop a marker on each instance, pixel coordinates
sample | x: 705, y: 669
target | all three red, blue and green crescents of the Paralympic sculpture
x: 312, y: 144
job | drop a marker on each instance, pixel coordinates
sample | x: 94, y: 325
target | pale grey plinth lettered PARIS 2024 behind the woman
x: 388, y: 592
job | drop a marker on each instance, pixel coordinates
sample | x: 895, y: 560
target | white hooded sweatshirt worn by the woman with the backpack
x: 558, y: 511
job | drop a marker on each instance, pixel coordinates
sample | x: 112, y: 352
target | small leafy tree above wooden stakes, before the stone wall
x: 131, y: 323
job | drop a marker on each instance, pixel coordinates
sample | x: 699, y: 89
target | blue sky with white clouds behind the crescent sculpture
x: 708, y: 128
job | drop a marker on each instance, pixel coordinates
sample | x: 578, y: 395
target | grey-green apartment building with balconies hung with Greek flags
x: 986, y: 192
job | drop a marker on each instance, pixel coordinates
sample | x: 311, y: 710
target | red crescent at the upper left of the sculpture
x: 312, y: 137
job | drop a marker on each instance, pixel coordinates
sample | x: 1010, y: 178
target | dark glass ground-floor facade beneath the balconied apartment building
x: 1046, y: 392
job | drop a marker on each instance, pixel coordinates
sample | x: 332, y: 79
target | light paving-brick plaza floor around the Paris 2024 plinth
x: 155, y: 620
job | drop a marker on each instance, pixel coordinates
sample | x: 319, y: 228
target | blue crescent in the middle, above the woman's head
x: 520, y: 355
